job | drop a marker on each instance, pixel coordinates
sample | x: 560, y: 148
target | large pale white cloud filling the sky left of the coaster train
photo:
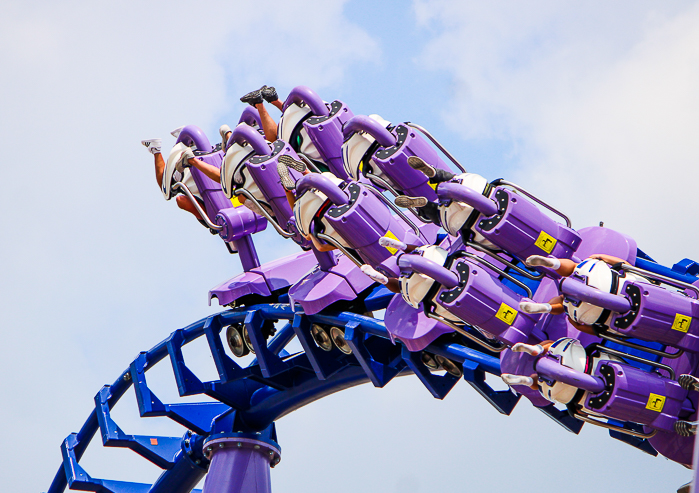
x: 96, y: 266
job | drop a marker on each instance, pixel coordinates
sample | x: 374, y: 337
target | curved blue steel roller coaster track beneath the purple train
x: 249, y: 399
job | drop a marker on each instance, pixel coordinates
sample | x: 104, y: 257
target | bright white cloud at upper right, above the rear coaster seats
x: 599, y: 100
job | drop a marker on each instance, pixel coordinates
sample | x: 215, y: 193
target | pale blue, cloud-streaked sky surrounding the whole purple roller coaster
x: 593, y: 106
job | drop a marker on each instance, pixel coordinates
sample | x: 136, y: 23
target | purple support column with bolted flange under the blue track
x: 240, y: 464
